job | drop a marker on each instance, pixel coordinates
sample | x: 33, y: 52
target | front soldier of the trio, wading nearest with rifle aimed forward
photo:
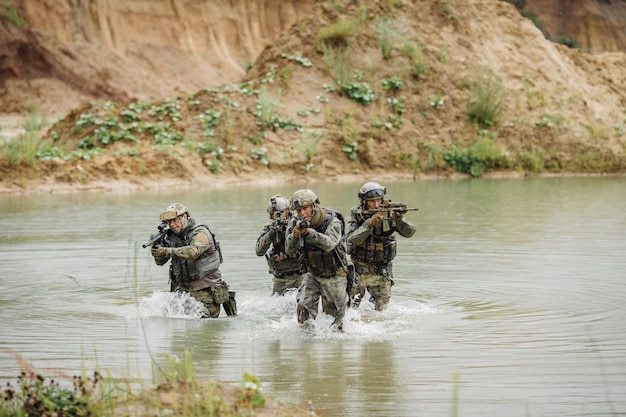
x: 317, y: 234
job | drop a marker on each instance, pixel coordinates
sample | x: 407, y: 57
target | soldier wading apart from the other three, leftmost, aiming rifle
x: 196, y: 259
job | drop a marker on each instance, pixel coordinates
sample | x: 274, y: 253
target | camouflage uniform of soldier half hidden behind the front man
x: 284, y: 268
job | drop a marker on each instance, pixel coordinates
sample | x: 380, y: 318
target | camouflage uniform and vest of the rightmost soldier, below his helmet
x: 372, y: 250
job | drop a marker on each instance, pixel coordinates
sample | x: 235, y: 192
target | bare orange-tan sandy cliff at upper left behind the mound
x: 71, y: 52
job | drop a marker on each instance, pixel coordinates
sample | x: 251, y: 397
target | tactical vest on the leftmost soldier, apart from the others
x: 187, y: 270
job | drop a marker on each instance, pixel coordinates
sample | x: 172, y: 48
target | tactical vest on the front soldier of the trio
x: 321, y: 263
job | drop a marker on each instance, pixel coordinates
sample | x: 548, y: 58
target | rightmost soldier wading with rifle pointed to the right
x: 372, y: 244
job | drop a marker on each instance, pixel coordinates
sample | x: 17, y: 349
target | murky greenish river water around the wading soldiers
x: 509, y: 300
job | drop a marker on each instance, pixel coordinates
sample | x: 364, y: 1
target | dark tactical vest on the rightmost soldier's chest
x: 379, y: 248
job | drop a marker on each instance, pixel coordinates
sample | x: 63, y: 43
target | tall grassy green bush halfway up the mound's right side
x: 488, y: 94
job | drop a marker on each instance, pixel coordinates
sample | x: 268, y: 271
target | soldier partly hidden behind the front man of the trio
x: 285, y: 268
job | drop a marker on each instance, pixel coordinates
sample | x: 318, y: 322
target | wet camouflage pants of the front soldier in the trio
x: 333, y: 293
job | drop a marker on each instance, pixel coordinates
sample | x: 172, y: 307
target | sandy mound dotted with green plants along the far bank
x: 440, y: 87
